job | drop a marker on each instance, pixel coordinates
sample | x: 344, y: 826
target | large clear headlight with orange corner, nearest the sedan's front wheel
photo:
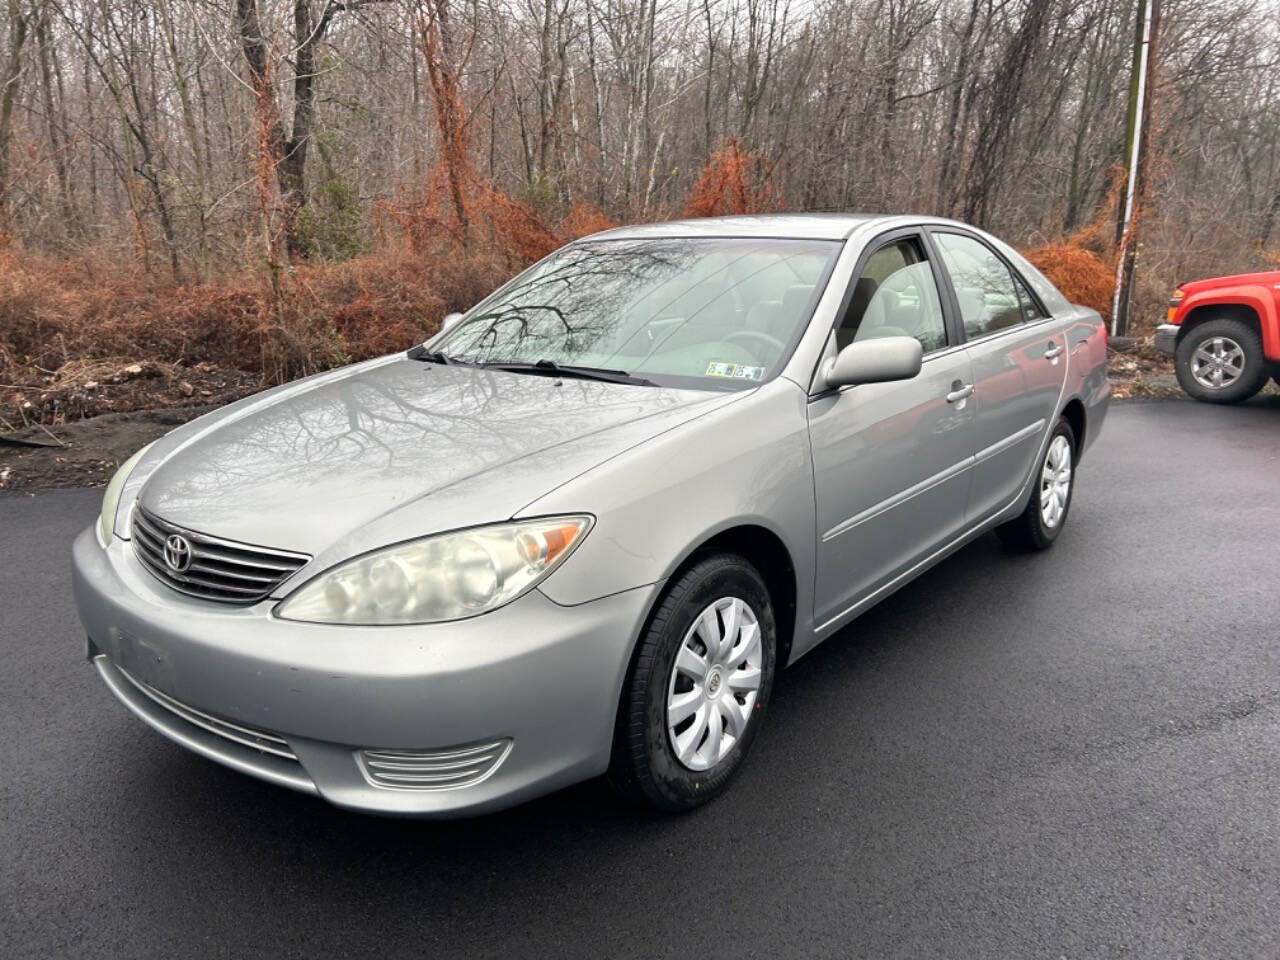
x: 441, y: 578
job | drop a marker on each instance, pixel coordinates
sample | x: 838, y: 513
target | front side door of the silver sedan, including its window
x: 890, y: 460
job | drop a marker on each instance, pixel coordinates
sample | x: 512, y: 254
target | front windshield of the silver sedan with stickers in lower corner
x: 678, y: 312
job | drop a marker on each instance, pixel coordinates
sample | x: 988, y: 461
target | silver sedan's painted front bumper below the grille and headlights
x: 542, y: 676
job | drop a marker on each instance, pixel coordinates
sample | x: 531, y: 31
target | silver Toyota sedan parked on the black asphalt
x: 580, y: 531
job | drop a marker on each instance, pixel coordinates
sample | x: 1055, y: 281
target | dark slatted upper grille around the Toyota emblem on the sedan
x: 221, y: 570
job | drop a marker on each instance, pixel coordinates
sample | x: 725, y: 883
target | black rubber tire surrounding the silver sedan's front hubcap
x: 644, y: 766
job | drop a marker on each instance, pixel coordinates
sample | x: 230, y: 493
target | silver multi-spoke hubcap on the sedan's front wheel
x: 715, y: 684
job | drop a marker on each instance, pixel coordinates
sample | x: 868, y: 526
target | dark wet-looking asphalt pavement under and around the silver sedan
x: 1075, y: 755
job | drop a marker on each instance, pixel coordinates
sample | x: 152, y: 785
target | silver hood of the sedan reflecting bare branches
x: 399, y: 450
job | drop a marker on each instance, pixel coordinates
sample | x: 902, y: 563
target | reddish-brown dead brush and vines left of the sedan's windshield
x: 66, y: 323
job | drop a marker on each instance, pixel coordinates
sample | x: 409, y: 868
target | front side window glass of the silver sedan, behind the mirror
x: 895, y: 296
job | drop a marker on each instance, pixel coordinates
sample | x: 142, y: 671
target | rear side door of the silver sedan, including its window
x: 1020, y: 367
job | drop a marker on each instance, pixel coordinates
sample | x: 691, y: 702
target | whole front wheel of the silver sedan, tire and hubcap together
x: 698, y: 687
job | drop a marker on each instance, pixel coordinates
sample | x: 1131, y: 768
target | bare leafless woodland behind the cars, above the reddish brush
x: 170, y: 127
